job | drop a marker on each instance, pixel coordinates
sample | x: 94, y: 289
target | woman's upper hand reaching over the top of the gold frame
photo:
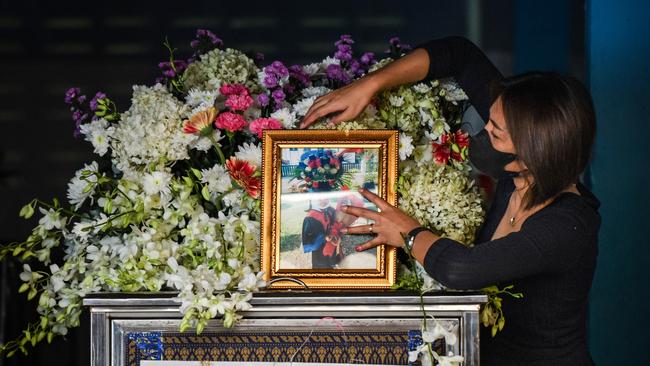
x: 345, y: 103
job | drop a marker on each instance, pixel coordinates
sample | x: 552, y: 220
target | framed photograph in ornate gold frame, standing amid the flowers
x: 307, y: 176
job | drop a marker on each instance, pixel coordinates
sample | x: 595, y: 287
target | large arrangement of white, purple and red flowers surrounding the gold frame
x: 172, y: 200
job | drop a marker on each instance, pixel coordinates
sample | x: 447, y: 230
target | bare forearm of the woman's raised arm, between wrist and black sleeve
x: 408, y: 69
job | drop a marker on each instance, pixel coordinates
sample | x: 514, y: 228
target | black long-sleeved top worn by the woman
x: 551, y: 260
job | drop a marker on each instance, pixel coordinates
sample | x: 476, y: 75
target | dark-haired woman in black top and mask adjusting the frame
x: 541, y: 231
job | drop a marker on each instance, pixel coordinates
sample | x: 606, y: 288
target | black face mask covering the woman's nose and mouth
x: 487, y: 159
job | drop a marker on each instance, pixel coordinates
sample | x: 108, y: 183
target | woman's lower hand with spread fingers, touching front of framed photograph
x: 390, y: 224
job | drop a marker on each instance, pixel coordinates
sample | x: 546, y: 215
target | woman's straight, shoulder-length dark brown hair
x: 552, y: 124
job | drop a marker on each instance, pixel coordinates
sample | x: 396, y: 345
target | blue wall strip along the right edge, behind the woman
x: 618, y: 60
